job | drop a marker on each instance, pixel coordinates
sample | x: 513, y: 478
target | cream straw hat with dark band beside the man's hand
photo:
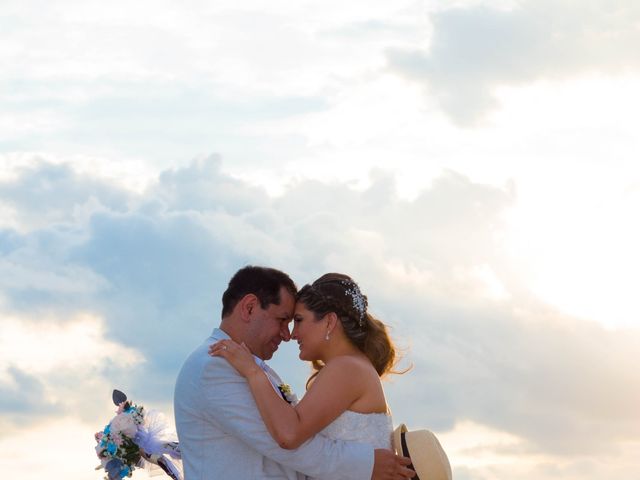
x: 429, y: 460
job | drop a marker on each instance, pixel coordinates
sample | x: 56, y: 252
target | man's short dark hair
x: 265, y: 283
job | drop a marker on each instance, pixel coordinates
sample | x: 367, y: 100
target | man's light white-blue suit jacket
x: 222, y: 434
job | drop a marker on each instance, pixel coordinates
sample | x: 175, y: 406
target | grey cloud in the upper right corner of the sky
x: 475, y: 50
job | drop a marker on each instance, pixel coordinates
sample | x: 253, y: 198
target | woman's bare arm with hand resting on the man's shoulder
x: 335, y: 388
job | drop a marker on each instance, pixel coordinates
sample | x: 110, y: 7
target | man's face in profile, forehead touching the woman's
x: 269, y: 326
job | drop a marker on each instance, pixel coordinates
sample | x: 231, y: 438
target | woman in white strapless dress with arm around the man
x: 350, y: 351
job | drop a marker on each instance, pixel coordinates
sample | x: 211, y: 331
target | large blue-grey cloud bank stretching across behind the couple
x: 152, y: 267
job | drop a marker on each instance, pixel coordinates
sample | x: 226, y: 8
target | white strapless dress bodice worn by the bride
x: 374, y: 429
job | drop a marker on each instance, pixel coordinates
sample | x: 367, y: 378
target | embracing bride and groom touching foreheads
x: 237, y: 419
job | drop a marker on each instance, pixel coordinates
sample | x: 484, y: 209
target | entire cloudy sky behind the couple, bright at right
x: 470, y: 163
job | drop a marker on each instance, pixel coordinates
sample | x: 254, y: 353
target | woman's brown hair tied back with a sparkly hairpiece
x: 335, y: 292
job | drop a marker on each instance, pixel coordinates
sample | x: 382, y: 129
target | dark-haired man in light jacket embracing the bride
x: 220, y: 429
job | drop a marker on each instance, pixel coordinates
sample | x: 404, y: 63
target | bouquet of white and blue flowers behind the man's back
x: 134, y: 439
